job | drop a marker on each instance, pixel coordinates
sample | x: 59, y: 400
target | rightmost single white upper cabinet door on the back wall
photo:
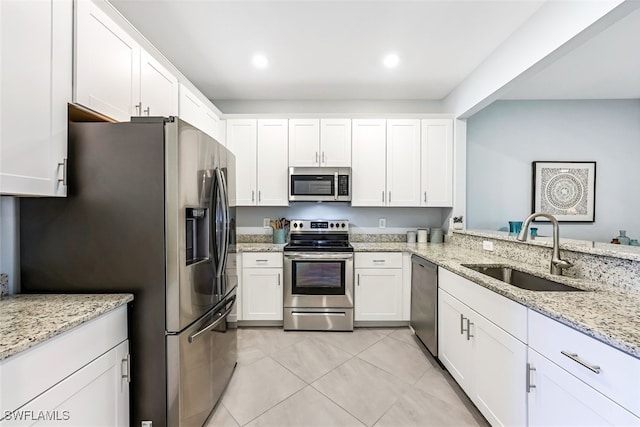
x: 437, y: 163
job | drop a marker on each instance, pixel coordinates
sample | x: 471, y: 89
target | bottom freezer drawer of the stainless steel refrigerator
x: 201, y: 360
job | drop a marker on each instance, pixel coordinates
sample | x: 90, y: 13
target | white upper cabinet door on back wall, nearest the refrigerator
x: 241, y: 139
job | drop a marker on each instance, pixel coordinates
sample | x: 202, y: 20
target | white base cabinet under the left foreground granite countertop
x: 87, y: 385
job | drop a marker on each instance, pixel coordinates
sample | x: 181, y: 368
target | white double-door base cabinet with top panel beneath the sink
x: 488, y: 362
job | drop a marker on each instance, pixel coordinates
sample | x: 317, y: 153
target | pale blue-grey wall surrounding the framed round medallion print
x: 504, y: 138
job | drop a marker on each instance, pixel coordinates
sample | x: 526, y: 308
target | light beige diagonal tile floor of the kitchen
x: 371, y: 377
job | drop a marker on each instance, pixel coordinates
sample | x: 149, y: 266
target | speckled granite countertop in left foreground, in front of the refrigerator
x: 29, y: 319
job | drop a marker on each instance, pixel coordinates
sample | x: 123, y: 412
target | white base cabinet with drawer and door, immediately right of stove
x: 378, y: 291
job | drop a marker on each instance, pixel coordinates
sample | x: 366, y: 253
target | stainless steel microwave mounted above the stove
x: 319, y: 184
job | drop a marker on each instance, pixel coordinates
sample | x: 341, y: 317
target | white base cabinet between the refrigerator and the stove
x: 262, y: 282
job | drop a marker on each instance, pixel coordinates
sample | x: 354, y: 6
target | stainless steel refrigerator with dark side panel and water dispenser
x: 150, y: 210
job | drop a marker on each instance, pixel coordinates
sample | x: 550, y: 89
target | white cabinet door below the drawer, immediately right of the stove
x: 378, y: 294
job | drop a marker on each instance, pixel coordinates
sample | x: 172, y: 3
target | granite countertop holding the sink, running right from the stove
x: 606, y: 314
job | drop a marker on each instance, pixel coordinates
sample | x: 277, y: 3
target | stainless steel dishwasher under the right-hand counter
x: 424, y: 302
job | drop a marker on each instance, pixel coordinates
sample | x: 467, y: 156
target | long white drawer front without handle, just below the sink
x: 507, y: 314
